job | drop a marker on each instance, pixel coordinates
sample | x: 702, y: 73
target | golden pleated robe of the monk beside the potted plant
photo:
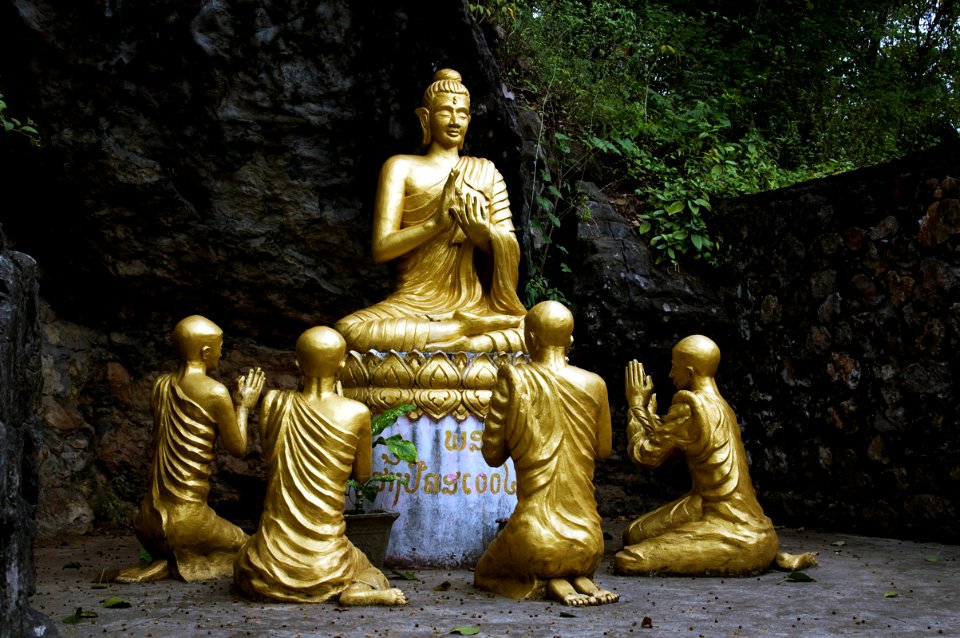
x: 300, y: 552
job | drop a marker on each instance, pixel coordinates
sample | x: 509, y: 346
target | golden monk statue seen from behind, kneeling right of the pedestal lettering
x: 553, y: 420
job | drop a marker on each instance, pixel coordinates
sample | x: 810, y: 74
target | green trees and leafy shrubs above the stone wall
x: 685, y: 104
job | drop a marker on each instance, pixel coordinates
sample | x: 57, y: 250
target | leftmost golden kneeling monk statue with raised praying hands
x: 175, y: 524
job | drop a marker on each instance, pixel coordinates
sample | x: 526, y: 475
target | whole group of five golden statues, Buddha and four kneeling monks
x: 446, y: 220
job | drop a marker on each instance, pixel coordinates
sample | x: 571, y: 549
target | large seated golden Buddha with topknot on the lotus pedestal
x: 446, y: 220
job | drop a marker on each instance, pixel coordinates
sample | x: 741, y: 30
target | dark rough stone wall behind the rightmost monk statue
x: 843, y: 367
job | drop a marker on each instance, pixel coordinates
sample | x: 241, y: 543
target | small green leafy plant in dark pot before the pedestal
x: 367, y: 528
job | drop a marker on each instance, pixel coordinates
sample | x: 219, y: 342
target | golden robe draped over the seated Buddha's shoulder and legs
x: 447, y: 273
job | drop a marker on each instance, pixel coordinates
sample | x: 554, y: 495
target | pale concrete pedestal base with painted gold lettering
x: 449, y: 510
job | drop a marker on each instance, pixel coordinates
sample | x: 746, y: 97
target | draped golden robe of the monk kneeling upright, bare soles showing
x: 548, y: 425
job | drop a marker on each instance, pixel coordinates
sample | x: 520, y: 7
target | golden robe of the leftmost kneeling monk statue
x: 174, y: 519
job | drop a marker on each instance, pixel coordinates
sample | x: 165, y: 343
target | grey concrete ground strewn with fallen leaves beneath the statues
x: 863, y: 587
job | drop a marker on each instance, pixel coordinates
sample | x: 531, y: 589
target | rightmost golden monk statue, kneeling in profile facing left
x: 718, y: 528
